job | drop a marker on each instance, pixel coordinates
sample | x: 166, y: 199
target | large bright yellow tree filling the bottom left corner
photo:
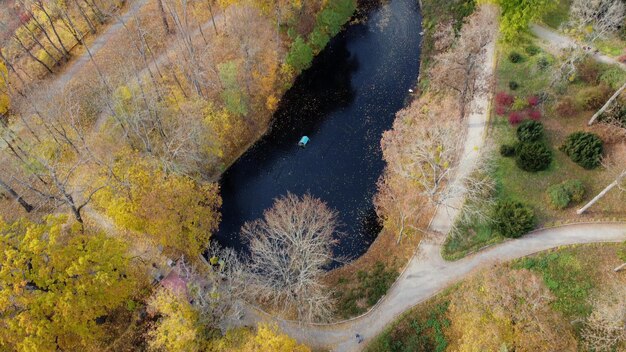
x: 56, y: 281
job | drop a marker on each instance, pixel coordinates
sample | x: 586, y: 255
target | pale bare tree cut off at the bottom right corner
x: 605, y: 328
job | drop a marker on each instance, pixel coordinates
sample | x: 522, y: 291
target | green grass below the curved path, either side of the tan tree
x: 574, y: 274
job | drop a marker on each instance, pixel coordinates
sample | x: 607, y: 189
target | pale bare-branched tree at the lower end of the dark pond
x: 289, y: 248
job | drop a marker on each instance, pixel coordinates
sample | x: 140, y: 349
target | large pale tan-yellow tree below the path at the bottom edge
x: 507, y: 309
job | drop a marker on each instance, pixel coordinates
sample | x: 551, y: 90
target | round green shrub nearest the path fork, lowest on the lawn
x: 513, y: 219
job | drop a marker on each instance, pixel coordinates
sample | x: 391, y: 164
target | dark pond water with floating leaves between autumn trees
x: 344, y: 103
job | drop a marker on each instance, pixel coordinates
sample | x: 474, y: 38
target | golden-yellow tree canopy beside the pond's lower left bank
x: 175, y: 211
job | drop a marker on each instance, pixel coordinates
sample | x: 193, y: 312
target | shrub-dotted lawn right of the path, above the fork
x: 530, y: 188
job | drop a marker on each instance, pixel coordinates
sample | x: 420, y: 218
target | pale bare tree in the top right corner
x: 603, y: 16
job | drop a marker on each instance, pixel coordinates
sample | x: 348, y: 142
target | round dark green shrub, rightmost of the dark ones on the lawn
x: 584, y: 148
